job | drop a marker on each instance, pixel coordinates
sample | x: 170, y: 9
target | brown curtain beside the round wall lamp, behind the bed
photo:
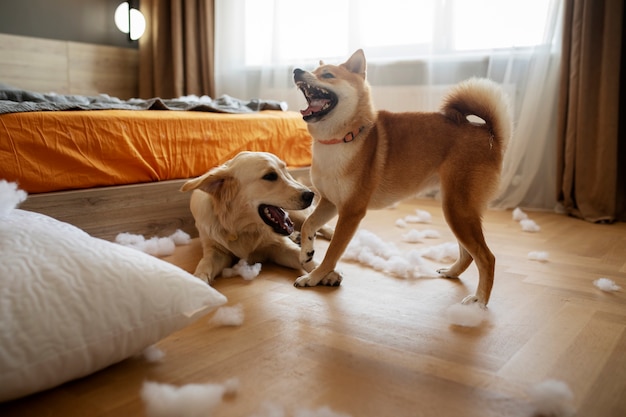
x: 176, y: 51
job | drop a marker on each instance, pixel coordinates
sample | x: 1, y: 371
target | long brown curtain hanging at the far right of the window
x: 591, y: 142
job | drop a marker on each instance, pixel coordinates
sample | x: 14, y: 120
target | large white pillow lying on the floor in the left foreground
x: 71, y: 304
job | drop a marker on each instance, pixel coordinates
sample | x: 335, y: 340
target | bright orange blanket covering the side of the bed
x: 63, y: 150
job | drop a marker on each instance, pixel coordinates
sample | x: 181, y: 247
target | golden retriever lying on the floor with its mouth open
x: 247, y: 209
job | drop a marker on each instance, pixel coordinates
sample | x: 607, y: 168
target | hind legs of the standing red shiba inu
x: 465, y: 223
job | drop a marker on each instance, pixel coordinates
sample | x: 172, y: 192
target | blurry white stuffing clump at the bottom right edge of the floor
x: 552, y: 398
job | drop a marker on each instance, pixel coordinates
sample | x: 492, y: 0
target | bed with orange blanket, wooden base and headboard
x: 108, y: 164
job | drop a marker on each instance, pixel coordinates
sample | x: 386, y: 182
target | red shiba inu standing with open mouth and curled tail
x: 367, y: 159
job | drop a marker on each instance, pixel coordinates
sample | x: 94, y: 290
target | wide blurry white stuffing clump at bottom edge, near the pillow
x: 191, y: 400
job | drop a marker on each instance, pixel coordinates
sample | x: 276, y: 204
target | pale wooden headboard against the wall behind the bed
x: 65, y: 67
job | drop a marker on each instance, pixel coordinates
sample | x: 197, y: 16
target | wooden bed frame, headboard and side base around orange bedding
x: 149, y: 209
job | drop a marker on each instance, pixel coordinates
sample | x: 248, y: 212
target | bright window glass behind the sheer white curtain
x: 285, y: 31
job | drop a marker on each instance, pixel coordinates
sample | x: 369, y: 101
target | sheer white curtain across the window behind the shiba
x: 416, y: 50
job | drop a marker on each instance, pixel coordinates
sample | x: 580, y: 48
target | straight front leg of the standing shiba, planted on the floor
x: 325, y: 273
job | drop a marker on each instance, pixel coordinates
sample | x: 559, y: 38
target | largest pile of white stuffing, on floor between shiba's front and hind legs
x: 370, y: 250
